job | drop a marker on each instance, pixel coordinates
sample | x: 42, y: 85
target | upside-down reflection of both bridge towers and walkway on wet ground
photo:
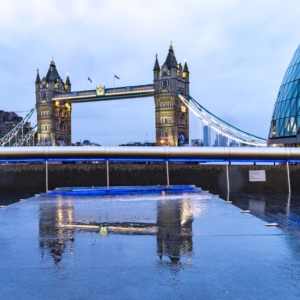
x: 173, y: 228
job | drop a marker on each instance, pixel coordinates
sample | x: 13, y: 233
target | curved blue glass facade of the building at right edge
x: 286, y: 115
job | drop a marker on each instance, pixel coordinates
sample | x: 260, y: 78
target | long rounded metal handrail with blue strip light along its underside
x: 197, y: 154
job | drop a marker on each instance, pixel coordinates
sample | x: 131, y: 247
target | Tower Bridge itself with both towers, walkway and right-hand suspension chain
x: 54, y: 100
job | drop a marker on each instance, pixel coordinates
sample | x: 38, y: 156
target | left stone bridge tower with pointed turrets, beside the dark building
x: 53, y: 118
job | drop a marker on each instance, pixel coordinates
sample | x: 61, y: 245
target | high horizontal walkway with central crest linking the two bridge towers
x: 103, y: 94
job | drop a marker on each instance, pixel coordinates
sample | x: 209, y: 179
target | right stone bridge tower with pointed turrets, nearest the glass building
x: 171, y: 115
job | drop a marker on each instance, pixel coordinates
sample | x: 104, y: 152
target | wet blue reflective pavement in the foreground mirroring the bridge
x: 179, y: 246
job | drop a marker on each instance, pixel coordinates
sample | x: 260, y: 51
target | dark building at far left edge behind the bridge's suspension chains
x: 8, y: 120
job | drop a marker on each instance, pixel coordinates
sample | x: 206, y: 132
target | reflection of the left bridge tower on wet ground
x: 53, y: 239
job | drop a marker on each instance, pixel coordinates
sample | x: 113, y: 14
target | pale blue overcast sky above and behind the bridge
x: 237, y: 54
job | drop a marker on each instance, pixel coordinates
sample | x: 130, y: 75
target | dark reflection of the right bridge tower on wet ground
x: 174, y: 235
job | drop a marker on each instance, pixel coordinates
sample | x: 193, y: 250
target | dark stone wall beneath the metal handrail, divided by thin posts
x: 31, y: 178
